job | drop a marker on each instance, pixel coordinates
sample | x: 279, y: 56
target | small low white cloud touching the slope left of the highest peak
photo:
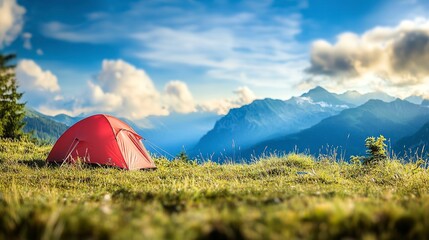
x: 242, y: 96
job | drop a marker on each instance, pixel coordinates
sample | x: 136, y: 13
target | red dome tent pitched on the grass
x: 102, y: 139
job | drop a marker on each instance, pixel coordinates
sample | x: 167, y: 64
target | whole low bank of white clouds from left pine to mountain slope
x: 121, y: 89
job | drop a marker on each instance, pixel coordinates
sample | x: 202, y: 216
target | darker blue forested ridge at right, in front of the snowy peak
x: 348, y: 130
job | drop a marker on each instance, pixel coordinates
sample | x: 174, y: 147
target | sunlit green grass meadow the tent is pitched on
x: 289, y: 197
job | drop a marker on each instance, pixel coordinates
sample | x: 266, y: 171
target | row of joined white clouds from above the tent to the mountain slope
x: 123, y: 89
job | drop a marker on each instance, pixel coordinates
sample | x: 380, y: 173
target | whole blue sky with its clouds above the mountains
x: 143, y: 58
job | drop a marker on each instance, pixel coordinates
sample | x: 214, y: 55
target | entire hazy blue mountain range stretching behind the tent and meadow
x: 311, y: 122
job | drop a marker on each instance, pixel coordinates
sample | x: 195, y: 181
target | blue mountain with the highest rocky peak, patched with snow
x: 265, y: 119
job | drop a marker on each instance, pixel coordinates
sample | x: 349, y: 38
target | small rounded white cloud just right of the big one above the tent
x: 179, y: 98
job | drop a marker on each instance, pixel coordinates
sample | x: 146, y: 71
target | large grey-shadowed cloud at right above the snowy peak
x: 383, y: 57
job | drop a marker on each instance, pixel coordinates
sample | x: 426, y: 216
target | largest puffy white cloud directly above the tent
x: 126, y: 90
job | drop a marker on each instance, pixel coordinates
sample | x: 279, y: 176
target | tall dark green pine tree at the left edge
x: 12, y: 112
